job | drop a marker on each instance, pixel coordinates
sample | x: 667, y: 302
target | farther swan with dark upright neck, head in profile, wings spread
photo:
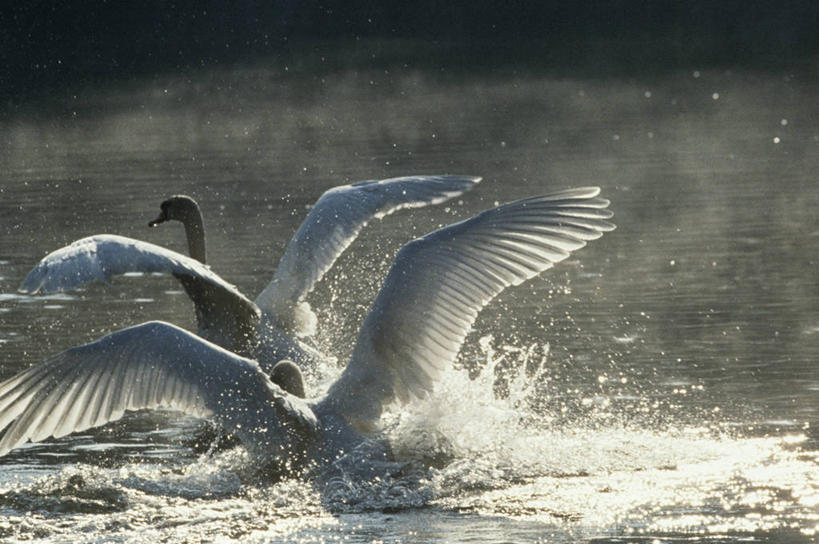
x: 275, y: 325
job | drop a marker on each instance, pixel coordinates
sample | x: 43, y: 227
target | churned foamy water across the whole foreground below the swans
x: 479, y: 445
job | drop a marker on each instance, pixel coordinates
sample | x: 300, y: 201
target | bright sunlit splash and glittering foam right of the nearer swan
x: 497, y: 456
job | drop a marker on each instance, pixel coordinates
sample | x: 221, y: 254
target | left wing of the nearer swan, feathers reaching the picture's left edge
x: 153, y: 365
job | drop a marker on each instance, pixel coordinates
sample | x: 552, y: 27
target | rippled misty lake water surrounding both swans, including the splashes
x: 661, y: 385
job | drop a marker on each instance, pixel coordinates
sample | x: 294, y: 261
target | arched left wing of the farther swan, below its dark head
x: 225, y: 316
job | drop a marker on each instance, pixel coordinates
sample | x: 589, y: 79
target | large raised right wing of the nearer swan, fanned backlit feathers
x: 438, y: 284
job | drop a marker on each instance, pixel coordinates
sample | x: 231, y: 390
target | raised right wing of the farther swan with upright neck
x: 333, y: 223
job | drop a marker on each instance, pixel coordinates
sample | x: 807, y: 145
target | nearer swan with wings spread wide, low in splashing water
x: 413, y: 330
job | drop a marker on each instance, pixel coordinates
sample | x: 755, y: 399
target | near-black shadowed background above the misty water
x: 47, y: 46
